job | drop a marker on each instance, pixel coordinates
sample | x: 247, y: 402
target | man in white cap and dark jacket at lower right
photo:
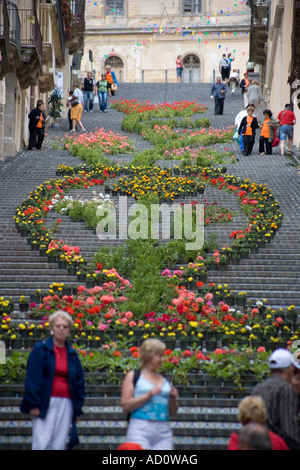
x: 281, y: 399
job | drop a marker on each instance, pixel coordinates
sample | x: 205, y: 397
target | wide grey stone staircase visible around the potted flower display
x: 208, y: 414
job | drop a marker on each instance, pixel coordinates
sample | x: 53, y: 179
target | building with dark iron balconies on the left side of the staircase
x: 38, y: 39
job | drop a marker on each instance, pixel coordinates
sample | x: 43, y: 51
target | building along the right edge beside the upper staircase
x: 275, y: 50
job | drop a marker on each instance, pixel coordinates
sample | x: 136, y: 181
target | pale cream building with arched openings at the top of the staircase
x: 141, y: 39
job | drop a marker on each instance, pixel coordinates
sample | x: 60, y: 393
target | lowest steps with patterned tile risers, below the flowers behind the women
x: 206, y: 418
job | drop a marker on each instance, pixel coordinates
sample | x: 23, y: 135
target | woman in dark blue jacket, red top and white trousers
x: 54, y: 388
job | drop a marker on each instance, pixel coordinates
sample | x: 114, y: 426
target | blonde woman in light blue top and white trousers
x: 150, y: 399
